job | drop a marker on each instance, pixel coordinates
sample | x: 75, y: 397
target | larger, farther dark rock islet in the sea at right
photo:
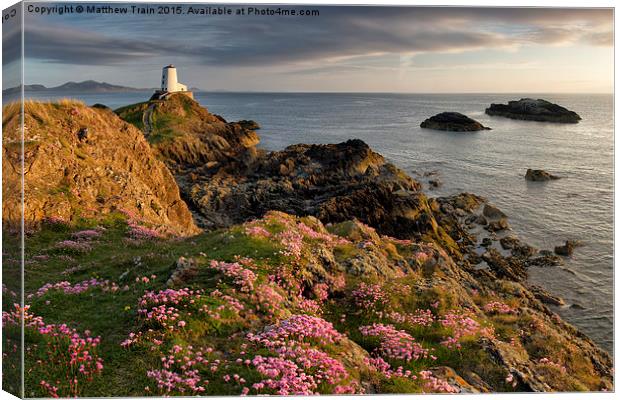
x: 533, y: 110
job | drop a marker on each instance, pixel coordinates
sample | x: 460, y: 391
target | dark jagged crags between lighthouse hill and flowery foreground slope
x: 335, y: 183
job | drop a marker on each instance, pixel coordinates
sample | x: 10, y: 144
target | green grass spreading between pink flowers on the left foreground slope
x: 113, y: 315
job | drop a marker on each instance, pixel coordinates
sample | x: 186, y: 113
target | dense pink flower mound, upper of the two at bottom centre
x: 298, y: 327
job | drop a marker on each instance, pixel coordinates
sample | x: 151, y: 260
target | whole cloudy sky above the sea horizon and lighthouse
x: 343, y: 49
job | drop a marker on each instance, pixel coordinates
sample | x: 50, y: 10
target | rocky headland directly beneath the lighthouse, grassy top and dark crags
x: 226, y: 180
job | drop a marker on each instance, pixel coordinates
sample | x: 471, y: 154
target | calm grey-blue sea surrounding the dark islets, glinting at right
x: 490, y: 163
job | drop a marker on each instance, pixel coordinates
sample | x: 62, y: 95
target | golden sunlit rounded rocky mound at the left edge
x: 83, y: 162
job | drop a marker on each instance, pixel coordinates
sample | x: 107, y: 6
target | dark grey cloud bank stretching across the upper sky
x: 338, y: 33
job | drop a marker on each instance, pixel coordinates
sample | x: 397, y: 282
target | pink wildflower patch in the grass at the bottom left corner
x: 74, y: 355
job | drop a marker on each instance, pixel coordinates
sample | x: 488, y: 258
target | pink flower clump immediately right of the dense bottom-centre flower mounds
x: 395, y: 344
